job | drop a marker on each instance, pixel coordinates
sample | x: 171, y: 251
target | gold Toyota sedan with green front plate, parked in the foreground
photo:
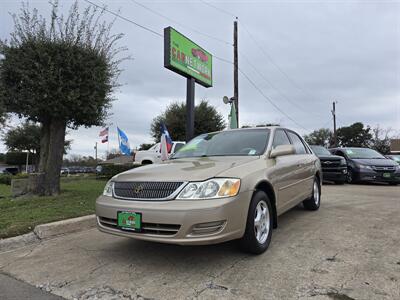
x: 221, y: 186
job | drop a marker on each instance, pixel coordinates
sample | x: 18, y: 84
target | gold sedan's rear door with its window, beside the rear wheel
x: 304, y: 168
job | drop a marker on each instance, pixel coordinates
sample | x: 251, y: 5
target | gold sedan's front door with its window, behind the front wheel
x: 282, y: 173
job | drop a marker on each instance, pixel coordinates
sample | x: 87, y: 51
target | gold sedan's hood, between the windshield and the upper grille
x: 185, y: 169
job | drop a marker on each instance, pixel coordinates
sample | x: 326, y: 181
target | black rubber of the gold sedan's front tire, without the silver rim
x: 249, y: 241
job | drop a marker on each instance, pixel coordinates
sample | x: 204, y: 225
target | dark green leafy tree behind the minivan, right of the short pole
x: 355, y: 135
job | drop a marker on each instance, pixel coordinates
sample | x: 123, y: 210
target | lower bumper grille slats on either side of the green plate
x: 147, y: 228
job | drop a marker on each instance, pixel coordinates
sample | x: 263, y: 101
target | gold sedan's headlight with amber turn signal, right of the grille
x: 210, y: 189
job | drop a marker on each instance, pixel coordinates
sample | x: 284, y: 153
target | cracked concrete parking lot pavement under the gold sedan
x: 349, y: 249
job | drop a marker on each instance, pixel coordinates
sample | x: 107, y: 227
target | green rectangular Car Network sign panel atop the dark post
x: 186, y: 58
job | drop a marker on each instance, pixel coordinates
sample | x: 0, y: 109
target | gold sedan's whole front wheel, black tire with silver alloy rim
x: 257, y: 238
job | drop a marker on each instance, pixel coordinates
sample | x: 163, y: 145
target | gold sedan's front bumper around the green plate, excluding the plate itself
x: 185, y: 222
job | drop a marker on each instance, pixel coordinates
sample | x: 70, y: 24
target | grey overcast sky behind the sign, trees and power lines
x: 301, y: 55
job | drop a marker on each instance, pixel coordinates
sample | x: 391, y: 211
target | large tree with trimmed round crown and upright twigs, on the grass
x: 60, y: 74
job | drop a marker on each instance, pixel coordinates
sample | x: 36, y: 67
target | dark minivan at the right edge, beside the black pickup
x: 365, y: 164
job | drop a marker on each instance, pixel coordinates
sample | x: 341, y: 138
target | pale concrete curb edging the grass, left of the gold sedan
x: 47, y: 231
